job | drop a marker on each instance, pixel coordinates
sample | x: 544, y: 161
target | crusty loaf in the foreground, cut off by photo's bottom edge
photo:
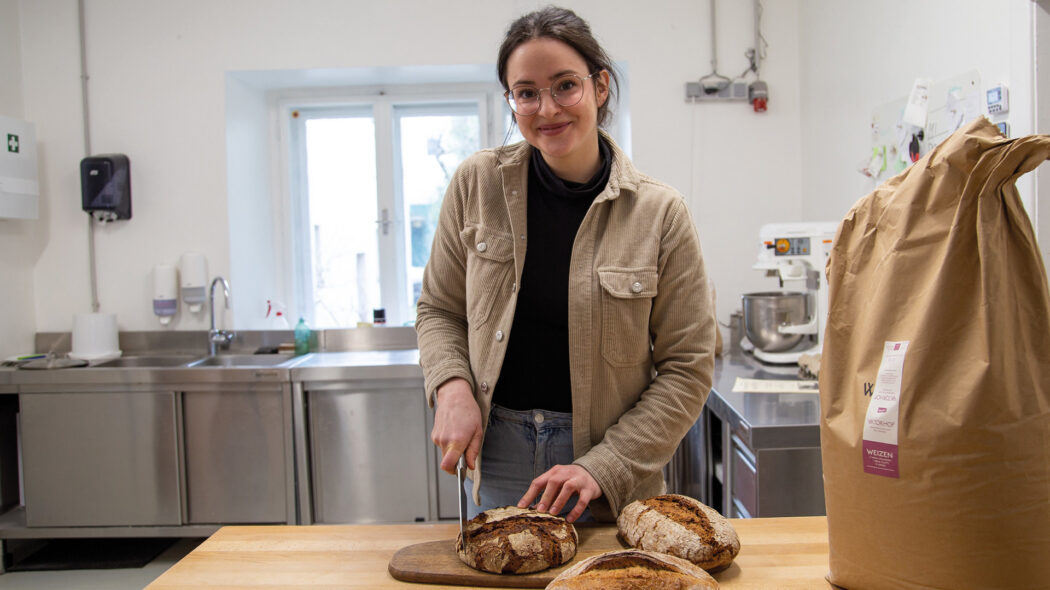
x: 634, y: 570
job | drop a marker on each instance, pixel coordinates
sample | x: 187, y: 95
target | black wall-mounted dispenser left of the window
x: 106, y: 185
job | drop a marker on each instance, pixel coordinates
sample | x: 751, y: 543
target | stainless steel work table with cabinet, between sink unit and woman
x: 362, y: 428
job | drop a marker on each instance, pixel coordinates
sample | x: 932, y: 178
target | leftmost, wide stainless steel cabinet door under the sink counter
x: 100, y: 459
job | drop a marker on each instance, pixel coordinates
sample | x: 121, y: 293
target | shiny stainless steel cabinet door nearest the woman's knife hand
x: 368, y: 452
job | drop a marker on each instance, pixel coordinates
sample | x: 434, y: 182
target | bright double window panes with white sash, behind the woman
x: 373, y: 179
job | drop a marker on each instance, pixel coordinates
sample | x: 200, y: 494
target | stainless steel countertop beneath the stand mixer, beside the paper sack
x: 764, y: 420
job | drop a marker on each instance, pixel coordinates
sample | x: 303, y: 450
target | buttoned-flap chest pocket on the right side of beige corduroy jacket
x: 627, y: 302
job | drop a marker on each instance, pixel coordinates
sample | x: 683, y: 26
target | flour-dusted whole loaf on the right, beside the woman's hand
x: 681, y: 526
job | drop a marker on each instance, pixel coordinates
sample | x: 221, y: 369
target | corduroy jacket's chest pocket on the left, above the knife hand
x: 490, y: 264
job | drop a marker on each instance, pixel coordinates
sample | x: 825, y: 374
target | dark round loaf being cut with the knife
x: 513, y: 540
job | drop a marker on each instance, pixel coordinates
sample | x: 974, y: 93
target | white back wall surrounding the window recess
x: 157, y: 93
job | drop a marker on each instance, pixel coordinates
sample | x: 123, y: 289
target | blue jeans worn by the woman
x: 519, y: 448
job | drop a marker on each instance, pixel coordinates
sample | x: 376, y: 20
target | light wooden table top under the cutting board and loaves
x: 783, y: 554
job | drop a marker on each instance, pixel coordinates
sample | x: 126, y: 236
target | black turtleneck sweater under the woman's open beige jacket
x: 536, y: 369
